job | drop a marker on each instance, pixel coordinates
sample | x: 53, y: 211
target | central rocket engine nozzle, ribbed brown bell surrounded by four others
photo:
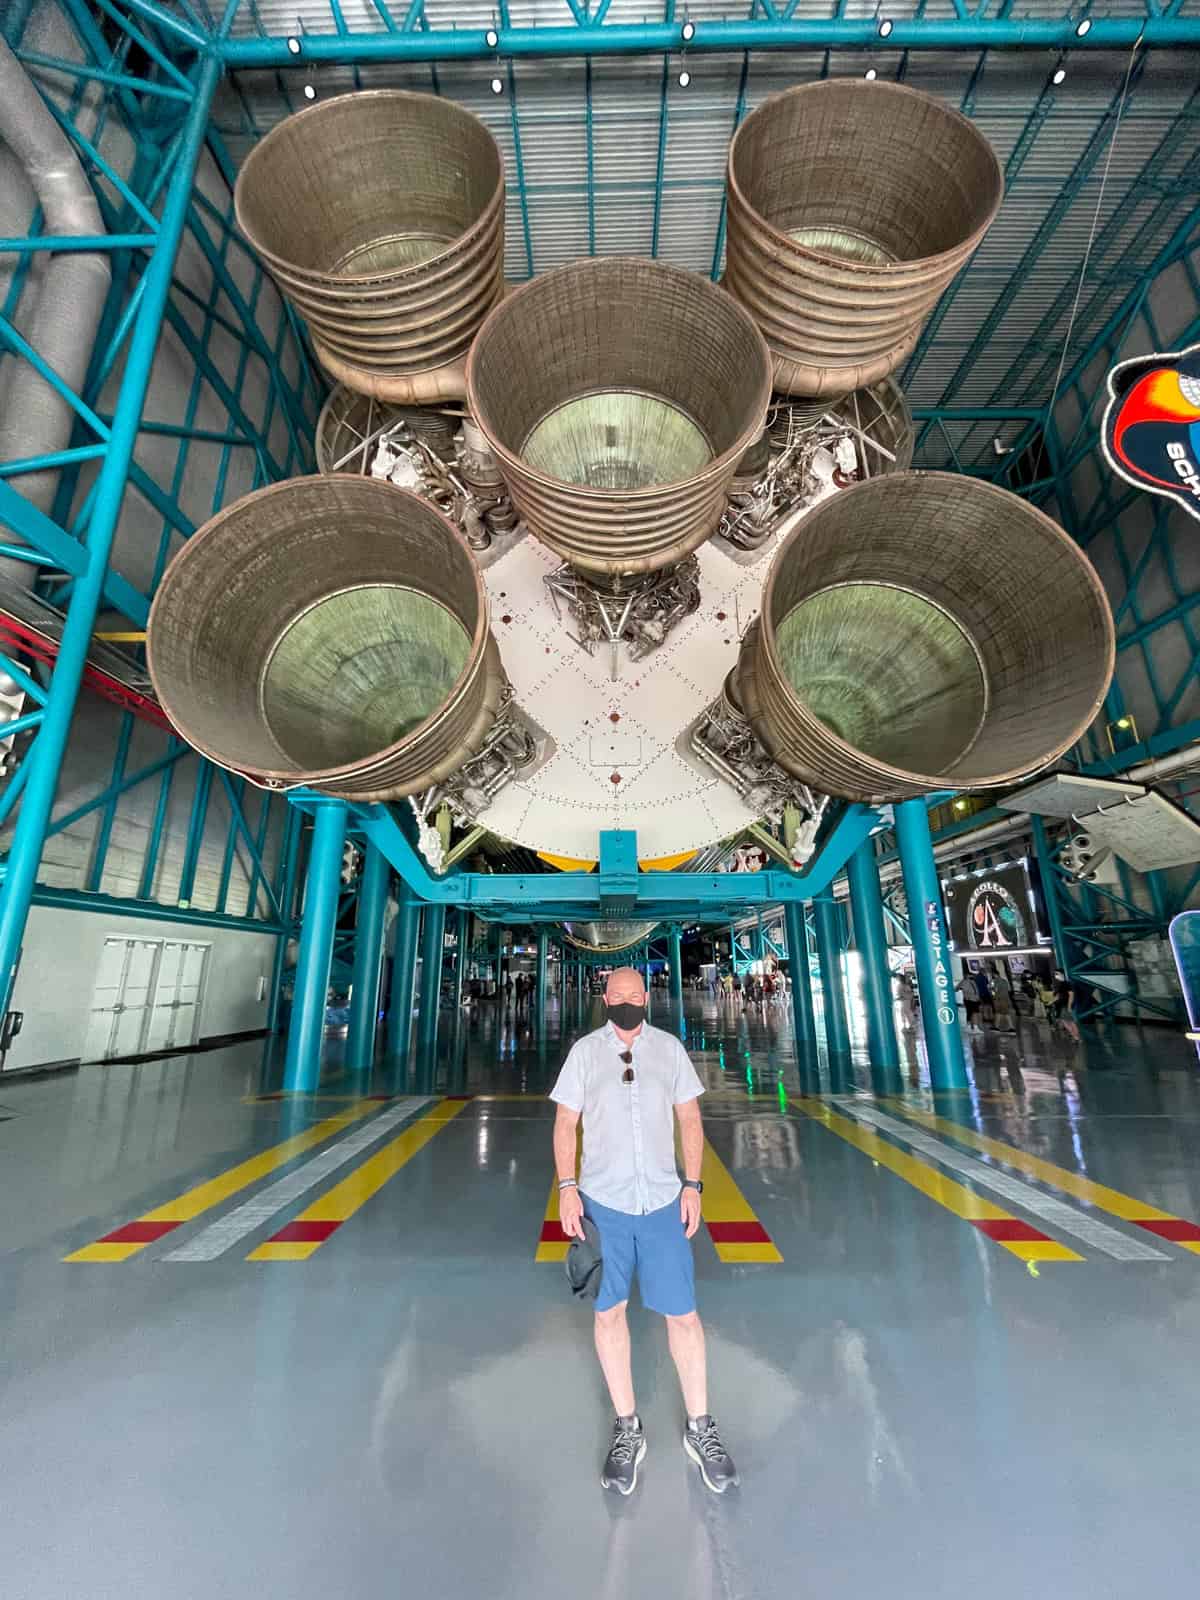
x: 618, y: 398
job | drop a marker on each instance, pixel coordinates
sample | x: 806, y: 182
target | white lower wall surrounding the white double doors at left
x: 58, y: 972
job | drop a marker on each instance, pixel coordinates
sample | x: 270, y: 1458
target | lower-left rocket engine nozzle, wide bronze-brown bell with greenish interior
x: 334, y: 633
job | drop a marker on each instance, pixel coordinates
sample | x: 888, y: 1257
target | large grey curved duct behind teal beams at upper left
x: 34, y: 418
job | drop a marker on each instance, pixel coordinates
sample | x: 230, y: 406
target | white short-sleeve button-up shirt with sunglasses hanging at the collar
x: 630, y: 1129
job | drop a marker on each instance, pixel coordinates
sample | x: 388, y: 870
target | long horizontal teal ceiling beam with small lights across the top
x: 470, y: 44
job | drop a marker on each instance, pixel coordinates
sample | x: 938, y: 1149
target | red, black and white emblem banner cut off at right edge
x: 1151, y: 431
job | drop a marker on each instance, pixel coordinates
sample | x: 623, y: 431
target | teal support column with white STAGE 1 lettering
x: 927, y: 921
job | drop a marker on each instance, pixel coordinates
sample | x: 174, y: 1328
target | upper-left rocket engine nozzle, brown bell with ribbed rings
x: 382, y: 217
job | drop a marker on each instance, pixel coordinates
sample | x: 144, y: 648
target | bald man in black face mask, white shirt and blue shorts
x: 626, y: 1081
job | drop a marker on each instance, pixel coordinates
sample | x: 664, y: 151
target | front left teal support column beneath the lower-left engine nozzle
x: 306, y: 1033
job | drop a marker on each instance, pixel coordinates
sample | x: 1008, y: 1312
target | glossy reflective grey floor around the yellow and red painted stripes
x: 916, y: 1410
